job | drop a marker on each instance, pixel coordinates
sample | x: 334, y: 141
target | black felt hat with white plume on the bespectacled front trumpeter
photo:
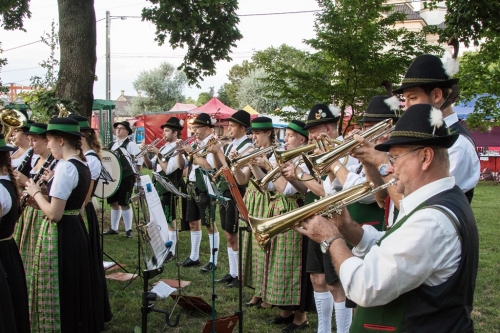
x: 420, y: 125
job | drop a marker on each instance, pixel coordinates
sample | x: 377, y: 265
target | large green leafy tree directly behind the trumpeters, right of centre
x: 357, y: 46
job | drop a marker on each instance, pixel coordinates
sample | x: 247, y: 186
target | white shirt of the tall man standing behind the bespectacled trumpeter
x: 464, y: 162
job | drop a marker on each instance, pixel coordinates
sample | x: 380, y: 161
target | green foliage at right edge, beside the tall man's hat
x: 479, y: 74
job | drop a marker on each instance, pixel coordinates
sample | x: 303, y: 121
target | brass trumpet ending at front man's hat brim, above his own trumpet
x: 319, y: 164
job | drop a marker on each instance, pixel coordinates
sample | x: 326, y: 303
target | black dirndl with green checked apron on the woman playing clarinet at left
x: 63, y: 295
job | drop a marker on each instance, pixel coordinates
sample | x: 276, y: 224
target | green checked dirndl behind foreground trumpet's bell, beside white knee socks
x: 283, y: 279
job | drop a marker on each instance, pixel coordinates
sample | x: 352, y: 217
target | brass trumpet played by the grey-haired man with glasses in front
x: 265, y: 229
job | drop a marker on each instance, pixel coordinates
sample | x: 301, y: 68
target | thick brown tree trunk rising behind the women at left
x: 77, y: 38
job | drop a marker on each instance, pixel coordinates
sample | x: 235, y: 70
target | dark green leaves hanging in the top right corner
x: 469, y: 20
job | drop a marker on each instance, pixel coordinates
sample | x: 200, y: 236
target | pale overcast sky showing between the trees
x: 133, y: 48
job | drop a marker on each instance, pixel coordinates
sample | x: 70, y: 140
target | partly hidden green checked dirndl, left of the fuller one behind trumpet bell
x: 254, y: 261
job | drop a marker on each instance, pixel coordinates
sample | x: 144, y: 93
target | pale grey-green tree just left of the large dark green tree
x: 253, y: 91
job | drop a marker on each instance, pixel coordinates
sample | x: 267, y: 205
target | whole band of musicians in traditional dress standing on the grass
x: 403, y: 258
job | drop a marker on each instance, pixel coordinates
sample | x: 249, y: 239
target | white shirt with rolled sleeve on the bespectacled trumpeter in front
x: 424, y: 250
